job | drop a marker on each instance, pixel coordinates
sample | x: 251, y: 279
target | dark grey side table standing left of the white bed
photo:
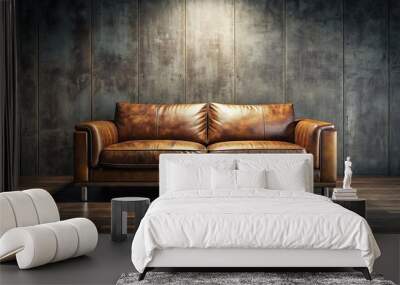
x: 119, y: 214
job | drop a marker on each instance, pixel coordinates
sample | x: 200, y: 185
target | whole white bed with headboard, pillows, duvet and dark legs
x: 248, y: 227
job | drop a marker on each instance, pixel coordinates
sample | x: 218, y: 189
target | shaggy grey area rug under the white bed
x: 228, y: 278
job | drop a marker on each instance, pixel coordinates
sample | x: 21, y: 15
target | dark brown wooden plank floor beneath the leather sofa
x: 382, y: 195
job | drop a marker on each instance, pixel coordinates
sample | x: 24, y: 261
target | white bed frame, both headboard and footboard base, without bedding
x: 245, y: 258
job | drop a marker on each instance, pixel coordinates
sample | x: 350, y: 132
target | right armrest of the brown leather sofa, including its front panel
x: 320, y: 139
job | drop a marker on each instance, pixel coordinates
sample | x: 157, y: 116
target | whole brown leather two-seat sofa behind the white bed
x: 126, y: 151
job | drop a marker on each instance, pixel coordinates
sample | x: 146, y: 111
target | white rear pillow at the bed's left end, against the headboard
x: 188, y: 177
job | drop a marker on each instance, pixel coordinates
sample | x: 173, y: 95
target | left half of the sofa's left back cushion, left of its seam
x: 136, y: 121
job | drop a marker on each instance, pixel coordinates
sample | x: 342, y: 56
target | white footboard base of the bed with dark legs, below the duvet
x: 260, y: 259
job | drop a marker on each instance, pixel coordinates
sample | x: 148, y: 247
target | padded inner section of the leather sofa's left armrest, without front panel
x: 100, y: 135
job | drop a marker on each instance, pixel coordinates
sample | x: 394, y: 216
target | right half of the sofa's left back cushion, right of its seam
x: 183, y: 122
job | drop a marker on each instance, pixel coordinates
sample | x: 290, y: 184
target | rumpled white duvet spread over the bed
x: 250, y: 219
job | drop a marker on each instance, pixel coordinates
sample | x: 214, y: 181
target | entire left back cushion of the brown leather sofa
x: 165, y: 121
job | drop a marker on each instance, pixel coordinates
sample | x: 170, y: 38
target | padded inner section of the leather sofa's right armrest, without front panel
x: 308, y: 135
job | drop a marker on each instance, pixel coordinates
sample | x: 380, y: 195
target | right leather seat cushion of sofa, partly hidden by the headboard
x: 256, y: 146
